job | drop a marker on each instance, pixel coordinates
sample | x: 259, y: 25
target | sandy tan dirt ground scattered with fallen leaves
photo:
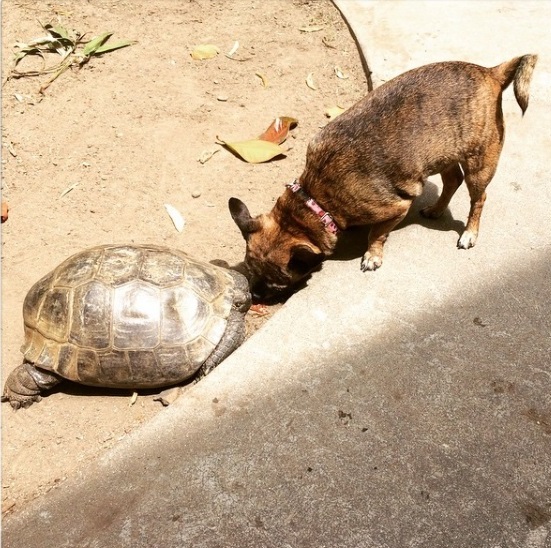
x: 96, y: 158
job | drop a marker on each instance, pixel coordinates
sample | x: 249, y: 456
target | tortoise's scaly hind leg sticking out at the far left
x: 25, y: 383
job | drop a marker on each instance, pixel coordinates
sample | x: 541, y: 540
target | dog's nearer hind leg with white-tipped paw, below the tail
x: 478, y: 173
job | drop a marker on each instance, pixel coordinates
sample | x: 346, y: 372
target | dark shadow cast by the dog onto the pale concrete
x: 353, y: 242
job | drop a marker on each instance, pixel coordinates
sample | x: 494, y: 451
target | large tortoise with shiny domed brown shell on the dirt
x: 127, y: 316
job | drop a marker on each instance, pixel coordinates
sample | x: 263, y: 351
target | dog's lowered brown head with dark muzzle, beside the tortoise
x: 276, y: 258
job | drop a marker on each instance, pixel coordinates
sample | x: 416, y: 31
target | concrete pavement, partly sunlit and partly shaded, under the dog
x: 406, y: 407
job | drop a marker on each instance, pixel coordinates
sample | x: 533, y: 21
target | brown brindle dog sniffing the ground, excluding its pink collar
x: 368, y: 165
